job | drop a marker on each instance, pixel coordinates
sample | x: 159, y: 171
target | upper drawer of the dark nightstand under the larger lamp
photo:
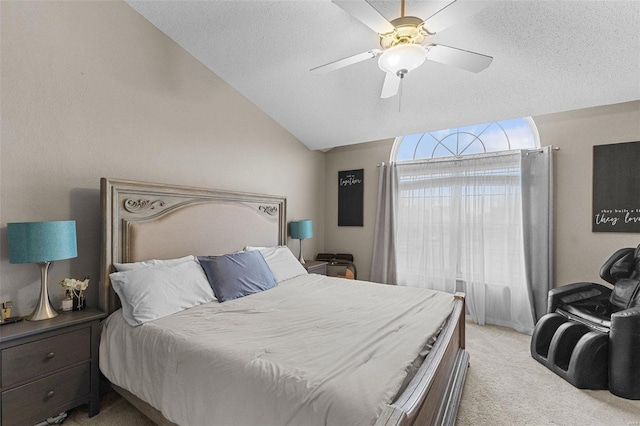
x: 33, y: 359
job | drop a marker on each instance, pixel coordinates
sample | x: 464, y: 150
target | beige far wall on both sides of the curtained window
x: 579, y: 253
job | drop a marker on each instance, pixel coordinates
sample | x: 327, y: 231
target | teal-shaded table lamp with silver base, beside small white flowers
x: 42, y: 243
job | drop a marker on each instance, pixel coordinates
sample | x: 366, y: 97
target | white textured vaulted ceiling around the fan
x: 549, y: 56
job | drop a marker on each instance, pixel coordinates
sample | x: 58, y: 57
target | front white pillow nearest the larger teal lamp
x: 153, y: 292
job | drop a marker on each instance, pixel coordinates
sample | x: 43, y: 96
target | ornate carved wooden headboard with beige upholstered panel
x: 156, y: 221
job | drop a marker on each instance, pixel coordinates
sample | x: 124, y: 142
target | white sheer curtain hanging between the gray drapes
x: 460, y: 227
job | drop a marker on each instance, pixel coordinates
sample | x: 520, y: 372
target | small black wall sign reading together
x: 350, y: 197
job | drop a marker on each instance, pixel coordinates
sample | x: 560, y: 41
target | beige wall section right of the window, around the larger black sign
x: 579, y: 253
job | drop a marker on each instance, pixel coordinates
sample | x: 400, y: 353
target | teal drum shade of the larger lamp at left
x: 33, y: 242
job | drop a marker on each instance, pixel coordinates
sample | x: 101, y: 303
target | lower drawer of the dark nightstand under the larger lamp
x: 45, y: 395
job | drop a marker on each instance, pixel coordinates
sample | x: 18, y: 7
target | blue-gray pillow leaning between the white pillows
x: 237, y: 275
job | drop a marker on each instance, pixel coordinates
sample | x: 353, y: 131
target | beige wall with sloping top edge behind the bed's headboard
x: 91, y: 89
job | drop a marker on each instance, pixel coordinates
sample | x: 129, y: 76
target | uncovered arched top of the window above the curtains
x: 518, y: 133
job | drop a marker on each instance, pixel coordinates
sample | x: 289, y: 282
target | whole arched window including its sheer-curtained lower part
x: 459, y: 222
